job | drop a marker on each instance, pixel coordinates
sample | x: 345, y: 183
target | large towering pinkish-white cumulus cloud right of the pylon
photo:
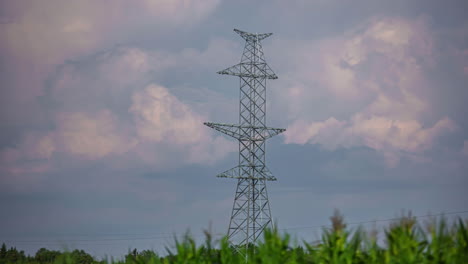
x: 376, y: 77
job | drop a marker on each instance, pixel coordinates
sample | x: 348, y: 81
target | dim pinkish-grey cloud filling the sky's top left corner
x: 43, y: 34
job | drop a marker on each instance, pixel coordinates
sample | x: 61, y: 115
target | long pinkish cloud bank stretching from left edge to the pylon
x: 161, y: 128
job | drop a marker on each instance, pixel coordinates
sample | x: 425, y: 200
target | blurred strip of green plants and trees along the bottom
x: 406, y: 242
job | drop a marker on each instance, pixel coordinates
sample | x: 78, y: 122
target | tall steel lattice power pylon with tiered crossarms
x: 251, y: 209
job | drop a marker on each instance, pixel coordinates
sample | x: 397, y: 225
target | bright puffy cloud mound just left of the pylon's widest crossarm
x: 160, y: 117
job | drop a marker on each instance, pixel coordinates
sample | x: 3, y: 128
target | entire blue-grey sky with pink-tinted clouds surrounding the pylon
x: 102, y: 145
